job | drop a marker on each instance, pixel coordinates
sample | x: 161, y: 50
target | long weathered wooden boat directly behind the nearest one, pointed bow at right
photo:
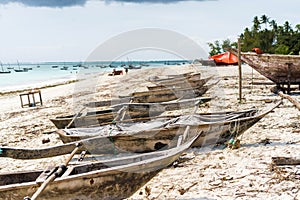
x: 157, y: 134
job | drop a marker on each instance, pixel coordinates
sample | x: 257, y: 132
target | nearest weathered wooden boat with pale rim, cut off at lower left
x: 117, y: 178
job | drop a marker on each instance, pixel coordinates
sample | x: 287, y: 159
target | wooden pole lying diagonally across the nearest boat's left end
x: 51, y: 178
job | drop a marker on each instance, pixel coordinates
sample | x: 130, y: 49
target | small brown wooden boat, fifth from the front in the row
x: 189, y: 83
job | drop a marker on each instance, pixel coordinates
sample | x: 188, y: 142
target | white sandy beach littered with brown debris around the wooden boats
x: 210, y: 173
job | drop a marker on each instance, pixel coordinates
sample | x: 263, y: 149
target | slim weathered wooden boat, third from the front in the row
x: 133, y: 111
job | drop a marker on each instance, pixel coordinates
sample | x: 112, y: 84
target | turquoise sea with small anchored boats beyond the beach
x: 50, y: 73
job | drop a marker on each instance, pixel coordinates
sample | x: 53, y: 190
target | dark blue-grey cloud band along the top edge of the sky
x: 66, y: 3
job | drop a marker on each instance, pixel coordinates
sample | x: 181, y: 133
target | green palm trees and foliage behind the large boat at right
x: 267, y: 35
